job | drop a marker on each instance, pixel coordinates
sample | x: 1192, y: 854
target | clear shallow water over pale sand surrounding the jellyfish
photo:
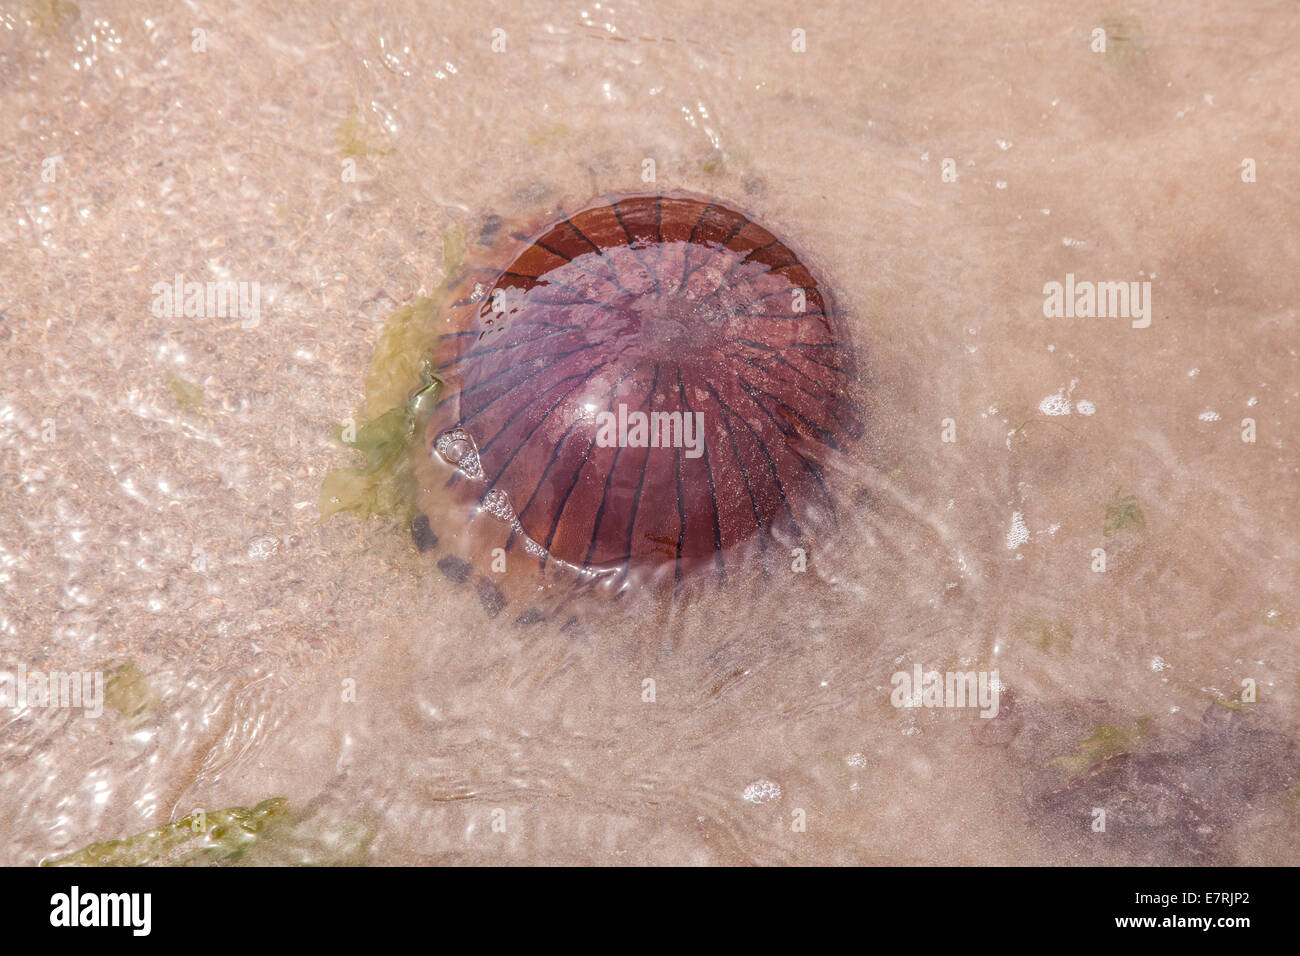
x: 162, y: 473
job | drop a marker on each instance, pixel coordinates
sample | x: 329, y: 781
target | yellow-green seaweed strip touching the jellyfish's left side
x: 401, y: 392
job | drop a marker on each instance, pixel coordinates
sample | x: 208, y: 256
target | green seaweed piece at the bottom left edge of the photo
x: 201, y: 840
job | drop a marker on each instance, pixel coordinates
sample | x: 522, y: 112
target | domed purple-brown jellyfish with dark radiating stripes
x: 653, y: 383
